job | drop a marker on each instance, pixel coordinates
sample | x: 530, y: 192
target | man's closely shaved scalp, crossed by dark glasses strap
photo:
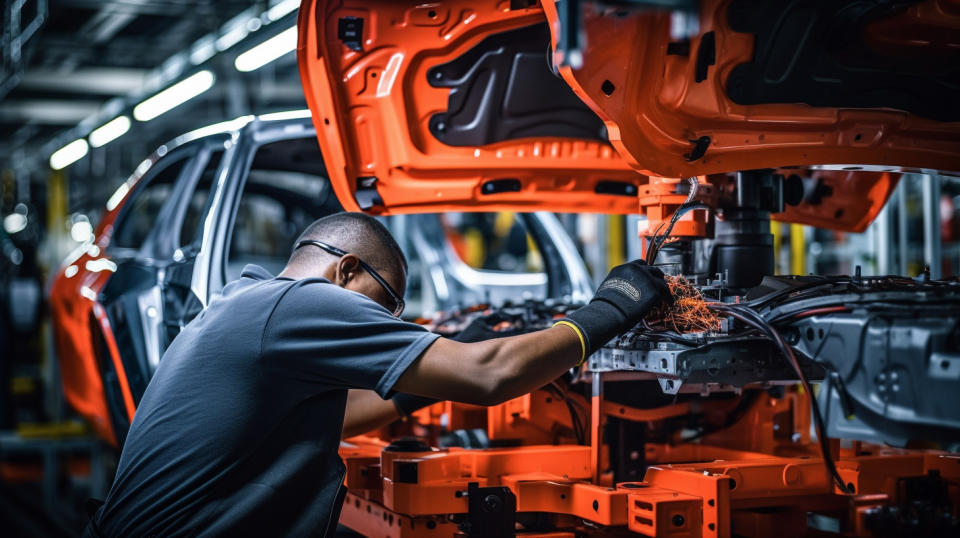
x: 356, y: 233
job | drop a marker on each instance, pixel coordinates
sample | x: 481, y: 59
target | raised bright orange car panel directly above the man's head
x: 367, y: 85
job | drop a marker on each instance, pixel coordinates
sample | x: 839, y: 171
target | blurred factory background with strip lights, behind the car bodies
x: 89, y: 88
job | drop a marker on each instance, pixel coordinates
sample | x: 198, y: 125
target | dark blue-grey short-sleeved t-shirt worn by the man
x: 238, y: 431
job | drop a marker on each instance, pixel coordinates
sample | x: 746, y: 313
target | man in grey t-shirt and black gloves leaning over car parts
x: 238, y: 431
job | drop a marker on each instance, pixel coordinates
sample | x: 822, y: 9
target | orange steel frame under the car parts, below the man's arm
x: 756, y: 477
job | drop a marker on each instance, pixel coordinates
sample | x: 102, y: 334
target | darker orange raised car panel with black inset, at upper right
x: 667, y: 101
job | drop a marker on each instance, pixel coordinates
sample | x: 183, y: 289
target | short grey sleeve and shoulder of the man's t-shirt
x: 321, y: 336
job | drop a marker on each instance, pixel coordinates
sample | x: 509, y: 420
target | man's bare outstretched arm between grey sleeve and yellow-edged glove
x: 492, y: 371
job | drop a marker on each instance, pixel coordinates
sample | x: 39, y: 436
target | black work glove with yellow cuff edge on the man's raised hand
x: 628, y: 293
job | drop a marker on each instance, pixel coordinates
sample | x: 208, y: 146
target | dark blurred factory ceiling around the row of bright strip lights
x: 69, y: 66
